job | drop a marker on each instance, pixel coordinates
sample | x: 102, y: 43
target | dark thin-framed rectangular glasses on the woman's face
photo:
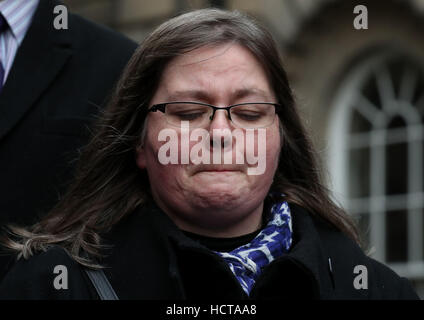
x: 250, y: 115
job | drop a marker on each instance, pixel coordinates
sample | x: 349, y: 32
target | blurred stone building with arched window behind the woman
x: 360, y: 91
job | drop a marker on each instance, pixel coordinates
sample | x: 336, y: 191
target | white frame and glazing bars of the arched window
x: 341, y: 141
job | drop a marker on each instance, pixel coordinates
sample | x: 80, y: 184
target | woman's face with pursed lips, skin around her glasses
x: 220, y: 200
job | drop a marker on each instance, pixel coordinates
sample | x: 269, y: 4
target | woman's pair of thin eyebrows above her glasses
x: 205, y: 96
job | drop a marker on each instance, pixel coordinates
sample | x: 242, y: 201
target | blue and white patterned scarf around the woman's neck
x: 247, y: 262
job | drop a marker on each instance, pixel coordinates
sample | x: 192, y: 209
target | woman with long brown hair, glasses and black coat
x: 161, y: 220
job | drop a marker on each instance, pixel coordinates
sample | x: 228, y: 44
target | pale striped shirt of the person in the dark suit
x: 18, y: 14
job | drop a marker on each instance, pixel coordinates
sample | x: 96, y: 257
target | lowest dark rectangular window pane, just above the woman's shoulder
x: 396, y: 236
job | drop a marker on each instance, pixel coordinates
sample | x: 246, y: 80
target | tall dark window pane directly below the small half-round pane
x: 396, y: 168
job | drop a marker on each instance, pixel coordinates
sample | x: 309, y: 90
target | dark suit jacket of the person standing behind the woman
x: 58, y: 82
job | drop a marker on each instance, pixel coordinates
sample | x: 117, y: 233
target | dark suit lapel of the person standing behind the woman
x: 41, y: 56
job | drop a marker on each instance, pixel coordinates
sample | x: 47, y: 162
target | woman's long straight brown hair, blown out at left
x: 108, y: 185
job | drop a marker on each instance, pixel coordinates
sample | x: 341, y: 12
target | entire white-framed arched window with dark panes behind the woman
x: 376, y: 158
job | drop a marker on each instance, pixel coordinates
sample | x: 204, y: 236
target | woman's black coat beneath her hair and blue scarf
x: 152, y: 259
